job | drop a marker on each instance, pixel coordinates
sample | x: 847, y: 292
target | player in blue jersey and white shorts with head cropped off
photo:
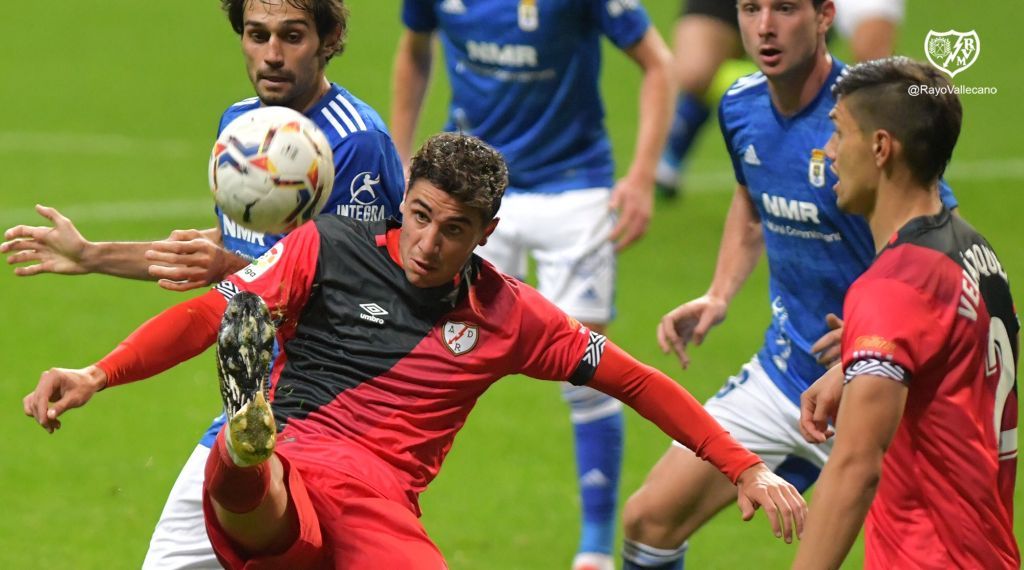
x: 525, y: 78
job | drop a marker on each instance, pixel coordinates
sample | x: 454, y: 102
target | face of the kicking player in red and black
x: 439, y: 235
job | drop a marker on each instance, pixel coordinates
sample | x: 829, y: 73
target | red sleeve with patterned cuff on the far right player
x: 890, y: 330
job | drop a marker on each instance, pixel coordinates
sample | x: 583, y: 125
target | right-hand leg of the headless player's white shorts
x: 576, y: 261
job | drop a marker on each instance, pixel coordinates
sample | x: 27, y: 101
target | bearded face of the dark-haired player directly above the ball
x: 284, y: 55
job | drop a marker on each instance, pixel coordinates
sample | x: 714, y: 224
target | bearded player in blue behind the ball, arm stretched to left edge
x: 287, y: 46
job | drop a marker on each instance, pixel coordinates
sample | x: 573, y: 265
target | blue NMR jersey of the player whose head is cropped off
x: 525, y: 79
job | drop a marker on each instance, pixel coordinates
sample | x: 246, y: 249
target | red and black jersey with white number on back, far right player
x: 934, y: 312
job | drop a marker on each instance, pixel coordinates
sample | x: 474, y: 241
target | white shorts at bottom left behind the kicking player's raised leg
x: 180, y: 541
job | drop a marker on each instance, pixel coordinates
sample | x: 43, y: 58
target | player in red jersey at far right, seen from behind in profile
x: 927, y: 419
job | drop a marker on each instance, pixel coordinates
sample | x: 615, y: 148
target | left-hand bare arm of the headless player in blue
x: 411, y: 77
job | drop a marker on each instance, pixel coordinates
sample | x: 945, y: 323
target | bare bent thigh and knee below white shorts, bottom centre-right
x: 680, y: 494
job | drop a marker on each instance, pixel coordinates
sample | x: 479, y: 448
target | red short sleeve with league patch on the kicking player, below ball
x: 283, y: 277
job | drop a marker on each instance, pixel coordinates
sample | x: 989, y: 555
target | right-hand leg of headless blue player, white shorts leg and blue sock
x: 576, y: 266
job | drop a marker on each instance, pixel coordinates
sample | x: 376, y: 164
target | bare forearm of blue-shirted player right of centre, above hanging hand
x: 740, y: 250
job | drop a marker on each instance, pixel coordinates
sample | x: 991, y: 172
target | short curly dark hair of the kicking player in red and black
x: 464, y: 167
